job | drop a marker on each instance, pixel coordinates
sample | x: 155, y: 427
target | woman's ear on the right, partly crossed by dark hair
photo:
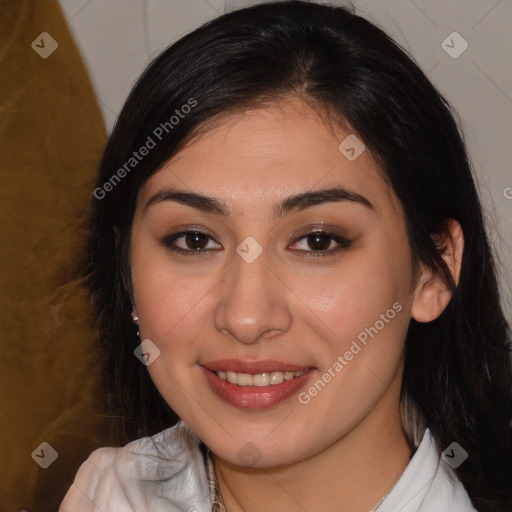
x: 431, y: 295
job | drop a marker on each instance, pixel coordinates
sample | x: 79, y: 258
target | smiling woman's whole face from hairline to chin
x: 254, y: 296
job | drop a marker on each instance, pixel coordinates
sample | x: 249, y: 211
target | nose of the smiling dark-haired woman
x: 253, y: 303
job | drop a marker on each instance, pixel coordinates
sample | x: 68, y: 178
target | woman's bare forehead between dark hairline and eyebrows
x: 260, y: 154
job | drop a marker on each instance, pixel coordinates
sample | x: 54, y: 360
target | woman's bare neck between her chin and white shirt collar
x: 352, y: 475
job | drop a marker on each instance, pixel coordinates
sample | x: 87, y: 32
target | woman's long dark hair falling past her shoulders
x: 457, y: 379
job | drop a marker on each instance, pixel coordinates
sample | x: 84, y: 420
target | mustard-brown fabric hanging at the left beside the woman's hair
x: 51, y: 137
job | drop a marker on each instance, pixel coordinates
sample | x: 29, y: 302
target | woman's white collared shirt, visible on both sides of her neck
x: 166, y: 473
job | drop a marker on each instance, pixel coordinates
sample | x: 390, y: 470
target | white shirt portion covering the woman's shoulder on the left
x: 167, y: 467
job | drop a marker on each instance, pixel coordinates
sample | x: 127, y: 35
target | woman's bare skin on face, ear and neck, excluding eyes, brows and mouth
x: 345, y: 449
